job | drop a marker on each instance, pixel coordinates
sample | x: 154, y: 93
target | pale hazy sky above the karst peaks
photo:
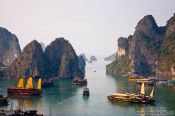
x: 91, y: 26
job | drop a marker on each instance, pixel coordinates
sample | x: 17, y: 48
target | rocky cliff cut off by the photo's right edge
x: 167, y: 61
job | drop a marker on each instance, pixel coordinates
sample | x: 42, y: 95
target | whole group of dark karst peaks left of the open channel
x: 58, y: 59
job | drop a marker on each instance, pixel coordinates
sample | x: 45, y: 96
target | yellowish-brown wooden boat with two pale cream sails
x: 133, y: 97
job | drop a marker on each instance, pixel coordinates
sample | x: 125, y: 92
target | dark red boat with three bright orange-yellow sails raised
x: 27, y: 90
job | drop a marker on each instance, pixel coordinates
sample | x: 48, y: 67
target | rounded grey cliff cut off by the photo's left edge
x: 9, y: 47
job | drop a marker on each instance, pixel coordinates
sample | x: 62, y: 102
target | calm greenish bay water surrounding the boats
x: 66, y: 100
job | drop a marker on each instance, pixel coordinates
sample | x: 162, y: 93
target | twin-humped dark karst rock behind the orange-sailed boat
x: 58, y: 60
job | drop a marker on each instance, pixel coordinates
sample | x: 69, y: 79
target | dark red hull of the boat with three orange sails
x: 18, y: 91
